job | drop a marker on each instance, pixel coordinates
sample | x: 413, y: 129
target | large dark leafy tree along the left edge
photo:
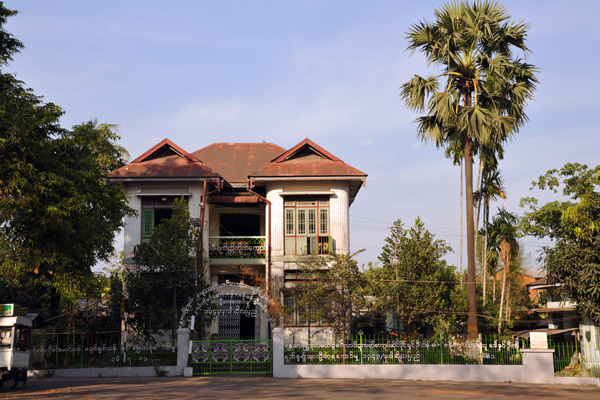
x: 58, y: 213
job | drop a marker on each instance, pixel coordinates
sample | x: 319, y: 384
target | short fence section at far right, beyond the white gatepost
x: 575, y: 359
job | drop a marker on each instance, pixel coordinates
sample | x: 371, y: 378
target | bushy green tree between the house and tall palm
x: 414, y: 280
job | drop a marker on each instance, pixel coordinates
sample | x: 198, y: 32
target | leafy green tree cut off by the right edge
x: 574, y: 226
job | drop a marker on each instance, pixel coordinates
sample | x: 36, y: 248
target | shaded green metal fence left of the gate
x: 72, y: 351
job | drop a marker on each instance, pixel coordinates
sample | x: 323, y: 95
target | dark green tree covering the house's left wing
x: 164, y: 274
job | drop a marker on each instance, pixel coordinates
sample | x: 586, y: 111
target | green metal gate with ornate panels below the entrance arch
x: 212, y: 357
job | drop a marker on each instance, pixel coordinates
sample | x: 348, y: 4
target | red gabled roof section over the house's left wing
x: 164, y: 160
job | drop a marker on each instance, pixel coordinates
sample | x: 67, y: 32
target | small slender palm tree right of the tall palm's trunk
x: 503, y: 233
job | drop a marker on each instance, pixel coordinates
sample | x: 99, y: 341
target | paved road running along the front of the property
x: 258, y: 387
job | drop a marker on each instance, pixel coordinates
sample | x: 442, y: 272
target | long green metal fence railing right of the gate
x: 435, y: 350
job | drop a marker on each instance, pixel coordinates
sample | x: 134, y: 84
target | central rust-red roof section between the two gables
x: 236, y: 161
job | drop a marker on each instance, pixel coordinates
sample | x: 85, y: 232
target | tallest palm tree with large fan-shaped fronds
x: 484, y: 95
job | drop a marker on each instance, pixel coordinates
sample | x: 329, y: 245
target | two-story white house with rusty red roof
x: 264, y: 208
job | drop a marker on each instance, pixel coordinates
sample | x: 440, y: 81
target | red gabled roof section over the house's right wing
x: 308, y: 159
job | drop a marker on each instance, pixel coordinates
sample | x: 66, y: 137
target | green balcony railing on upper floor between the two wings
x: 237, y: 247
